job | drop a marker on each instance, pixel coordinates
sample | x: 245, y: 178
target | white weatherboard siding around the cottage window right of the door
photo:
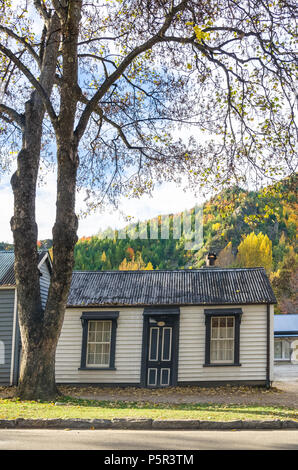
x: 253, y: 340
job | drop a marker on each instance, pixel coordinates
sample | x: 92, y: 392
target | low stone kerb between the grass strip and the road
x: 143, y: 424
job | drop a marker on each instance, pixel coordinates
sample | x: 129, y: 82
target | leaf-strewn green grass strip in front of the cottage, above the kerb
x: 70, y: 407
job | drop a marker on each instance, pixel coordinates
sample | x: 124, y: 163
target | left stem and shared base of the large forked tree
x: 37, y: 352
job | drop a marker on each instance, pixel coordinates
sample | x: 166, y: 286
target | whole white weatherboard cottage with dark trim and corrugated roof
x: 159, y: 328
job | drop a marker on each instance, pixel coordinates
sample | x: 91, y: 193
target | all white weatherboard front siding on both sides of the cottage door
x: 253, y: 347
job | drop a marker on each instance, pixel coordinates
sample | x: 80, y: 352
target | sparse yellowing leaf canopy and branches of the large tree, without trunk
x: 226, y: 69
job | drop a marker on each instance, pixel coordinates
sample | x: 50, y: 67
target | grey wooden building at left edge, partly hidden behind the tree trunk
x: 10, y: 344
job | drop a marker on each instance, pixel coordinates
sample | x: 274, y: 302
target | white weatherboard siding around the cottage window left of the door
x: 127, y: 356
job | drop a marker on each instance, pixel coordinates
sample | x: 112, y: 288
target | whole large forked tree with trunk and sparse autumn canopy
x: 111, y: 83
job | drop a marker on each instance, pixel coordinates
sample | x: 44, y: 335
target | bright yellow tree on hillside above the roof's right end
x: 255, y: 250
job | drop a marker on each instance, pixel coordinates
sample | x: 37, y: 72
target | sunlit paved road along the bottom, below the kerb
x: 41, y: 439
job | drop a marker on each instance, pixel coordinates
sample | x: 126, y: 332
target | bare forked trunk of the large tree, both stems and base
x: 40, y: 329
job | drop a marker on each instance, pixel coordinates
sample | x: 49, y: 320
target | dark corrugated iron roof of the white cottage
x: 207, y: 286
